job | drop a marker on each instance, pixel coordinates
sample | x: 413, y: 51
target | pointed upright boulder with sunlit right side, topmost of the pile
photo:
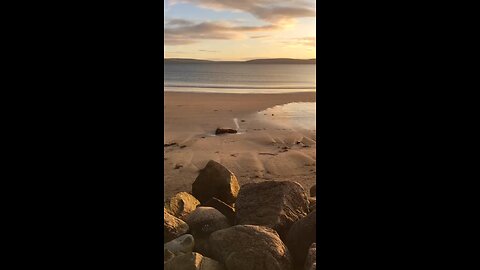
x: 215, y: 181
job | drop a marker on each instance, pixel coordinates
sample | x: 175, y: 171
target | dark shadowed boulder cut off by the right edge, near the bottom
x: 301, y: 236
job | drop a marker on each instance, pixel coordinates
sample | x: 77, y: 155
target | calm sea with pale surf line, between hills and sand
x: 239, y: 78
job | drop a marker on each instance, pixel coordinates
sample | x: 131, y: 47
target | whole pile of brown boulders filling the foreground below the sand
x: 221, y: 225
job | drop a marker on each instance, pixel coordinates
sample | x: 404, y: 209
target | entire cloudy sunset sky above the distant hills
x: 239, y: 29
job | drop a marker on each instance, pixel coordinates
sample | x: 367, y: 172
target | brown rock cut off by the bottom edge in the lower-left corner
x: 192, y: 261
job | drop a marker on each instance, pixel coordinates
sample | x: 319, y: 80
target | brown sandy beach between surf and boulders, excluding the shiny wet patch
x: 264, y: 150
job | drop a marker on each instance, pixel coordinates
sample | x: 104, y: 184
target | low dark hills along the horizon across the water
x: 254, y: 61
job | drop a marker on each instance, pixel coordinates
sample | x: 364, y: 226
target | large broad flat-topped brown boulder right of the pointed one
x: 273, y: 204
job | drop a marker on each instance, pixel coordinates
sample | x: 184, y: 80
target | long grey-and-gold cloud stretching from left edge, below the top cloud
x: 188, y: 32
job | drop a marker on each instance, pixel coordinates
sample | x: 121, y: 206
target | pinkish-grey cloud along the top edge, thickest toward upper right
x: 273, y: 11
